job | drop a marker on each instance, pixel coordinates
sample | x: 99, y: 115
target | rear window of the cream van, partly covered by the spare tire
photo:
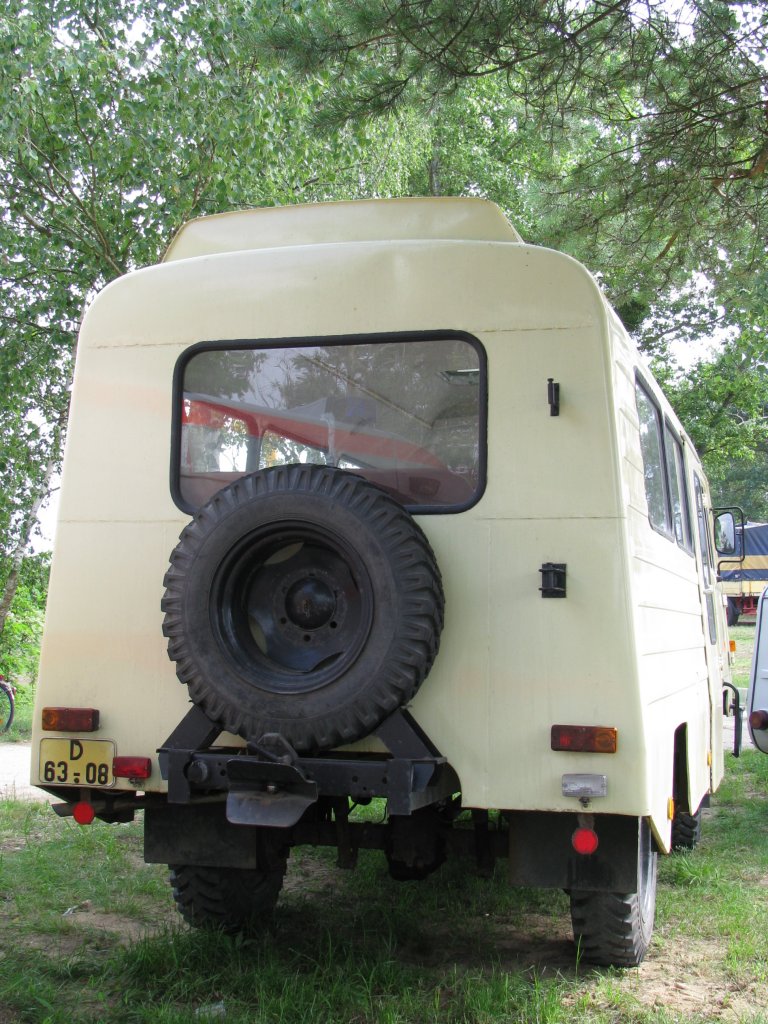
x: 407, y: 414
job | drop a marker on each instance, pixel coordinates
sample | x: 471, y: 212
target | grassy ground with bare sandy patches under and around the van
x: 89, y: 934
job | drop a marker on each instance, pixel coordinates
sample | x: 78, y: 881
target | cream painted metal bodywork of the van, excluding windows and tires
x: 628, y: 648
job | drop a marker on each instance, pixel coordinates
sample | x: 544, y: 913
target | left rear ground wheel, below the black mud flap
x: 226, y: 900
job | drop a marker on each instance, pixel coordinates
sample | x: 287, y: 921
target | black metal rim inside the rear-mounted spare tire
x: 292, y: 608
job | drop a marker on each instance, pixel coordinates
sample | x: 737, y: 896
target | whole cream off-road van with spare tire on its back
x: 443, y: 544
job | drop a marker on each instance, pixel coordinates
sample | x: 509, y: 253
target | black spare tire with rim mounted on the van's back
x: 303, y: 601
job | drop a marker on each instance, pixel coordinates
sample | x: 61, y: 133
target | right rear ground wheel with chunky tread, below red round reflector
x: 615, y: 929
